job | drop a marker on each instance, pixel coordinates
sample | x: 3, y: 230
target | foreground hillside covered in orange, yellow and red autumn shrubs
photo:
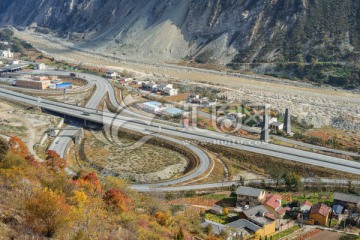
x: 40, y: 201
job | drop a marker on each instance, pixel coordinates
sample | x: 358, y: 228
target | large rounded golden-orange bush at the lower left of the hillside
x: 47, y: 212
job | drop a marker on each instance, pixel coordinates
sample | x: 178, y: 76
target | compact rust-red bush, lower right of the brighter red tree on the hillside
x: 117, y: 200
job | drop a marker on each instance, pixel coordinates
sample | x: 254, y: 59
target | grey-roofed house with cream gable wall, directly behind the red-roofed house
x: 249, y: 197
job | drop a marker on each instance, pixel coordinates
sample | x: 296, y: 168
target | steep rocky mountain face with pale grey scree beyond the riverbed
x: 208, y: 30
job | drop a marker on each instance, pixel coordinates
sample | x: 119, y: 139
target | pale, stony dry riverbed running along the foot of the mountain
x: 311, y: 105
